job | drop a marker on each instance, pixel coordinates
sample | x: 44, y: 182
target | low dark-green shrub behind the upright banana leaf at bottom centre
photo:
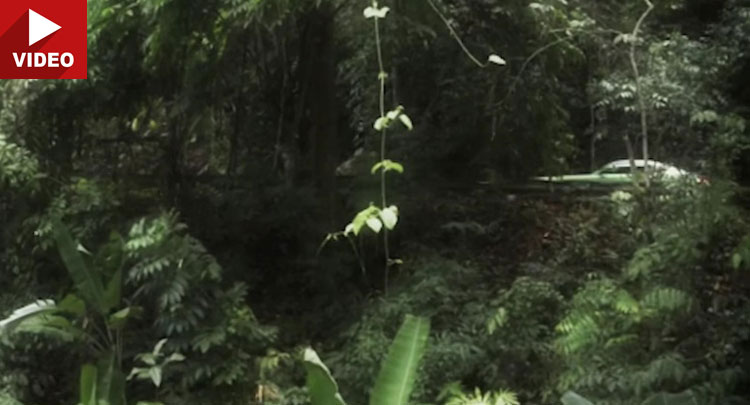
x: 459, y: 299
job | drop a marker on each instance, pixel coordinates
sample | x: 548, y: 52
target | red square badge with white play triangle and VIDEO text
x: 43, y: 39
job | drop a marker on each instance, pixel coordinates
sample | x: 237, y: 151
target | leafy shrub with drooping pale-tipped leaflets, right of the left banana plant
x: 180, y: 283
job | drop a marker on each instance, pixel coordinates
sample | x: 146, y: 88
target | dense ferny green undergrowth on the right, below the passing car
x: 631, y: 336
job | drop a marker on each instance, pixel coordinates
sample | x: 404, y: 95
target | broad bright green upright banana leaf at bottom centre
x: 396, y: 379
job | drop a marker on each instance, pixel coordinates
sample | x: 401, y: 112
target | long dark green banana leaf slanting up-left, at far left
x: 87, y: 282
